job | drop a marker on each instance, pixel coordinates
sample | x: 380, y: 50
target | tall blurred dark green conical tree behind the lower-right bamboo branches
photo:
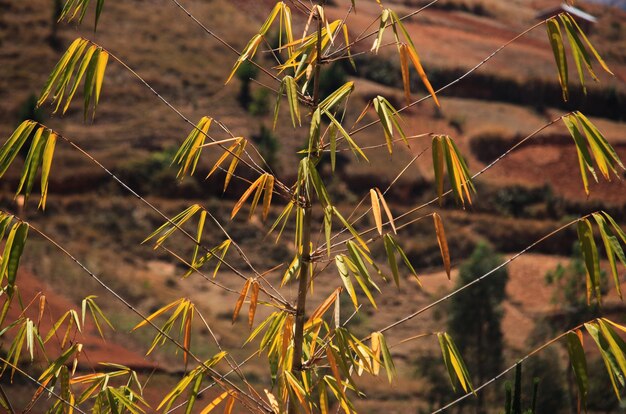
x: 475, y: 315
